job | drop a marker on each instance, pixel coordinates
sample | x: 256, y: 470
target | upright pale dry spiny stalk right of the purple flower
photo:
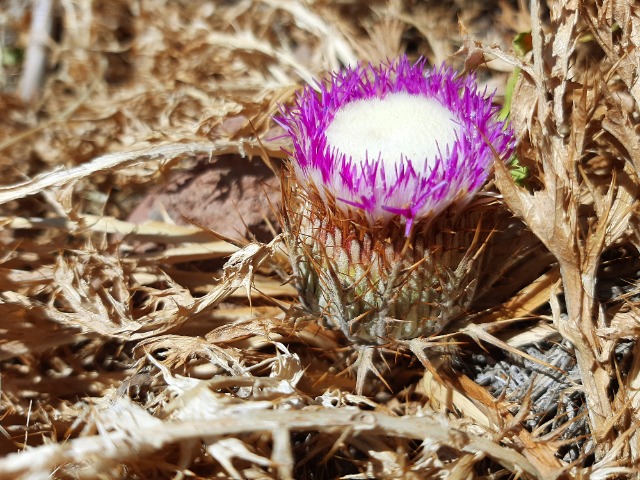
x: 556, y: 133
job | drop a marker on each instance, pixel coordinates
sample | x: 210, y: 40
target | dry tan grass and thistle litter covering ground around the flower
x: 137, y: 349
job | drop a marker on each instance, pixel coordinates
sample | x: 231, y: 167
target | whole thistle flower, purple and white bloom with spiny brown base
x: 385, y: 159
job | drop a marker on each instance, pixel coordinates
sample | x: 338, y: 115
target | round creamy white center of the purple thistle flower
x: 399, y: 126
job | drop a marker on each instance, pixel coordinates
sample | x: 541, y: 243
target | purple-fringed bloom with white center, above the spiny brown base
x: 396, y: 139
